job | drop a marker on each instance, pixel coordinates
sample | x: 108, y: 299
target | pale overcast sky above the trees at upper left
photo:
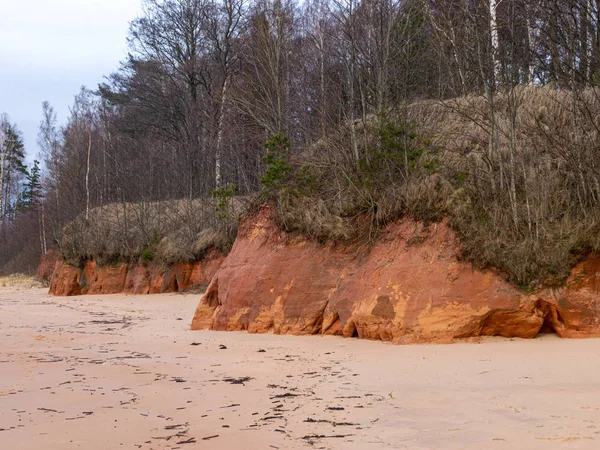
x: 50, y: 48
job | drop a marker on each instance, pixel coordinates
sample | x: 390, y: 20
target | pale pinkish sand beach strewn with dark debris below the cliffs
x: 117, y: 371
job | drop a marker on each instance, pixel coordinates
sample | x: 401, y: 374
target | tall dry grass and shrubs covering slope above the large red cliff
x: 518, y: 176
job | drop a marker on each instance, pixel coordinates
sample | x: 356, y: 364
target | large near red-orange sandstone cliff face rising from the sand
x: 409, y: 288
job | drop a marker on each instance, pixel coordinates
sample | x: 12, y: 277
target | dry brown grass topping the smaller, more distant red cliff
x: 165, y: 232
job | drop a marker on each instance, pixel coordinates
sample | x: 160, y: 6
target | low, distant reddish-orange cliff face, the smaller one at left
x: 134, y: 278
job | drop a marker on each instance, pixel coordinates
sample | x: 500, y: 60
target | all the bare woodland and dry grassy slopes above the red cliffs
x: 345, y: 114
